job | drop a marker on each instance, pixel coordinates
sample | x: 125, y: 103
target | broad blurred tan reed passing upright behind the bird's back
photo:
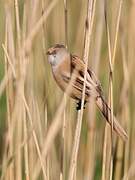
x: 91, y: 139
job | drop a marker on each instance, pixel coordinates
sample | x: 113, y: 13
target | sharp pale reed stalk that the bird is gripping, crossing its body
x: 89, y: 25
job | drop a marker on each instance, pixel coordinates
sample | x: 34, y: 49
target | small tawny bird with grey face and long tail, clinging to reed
x: 66, y: 65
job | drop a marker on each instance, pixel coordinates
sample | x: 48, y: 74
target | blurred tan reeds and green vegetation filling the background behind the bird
x: 30, y: 98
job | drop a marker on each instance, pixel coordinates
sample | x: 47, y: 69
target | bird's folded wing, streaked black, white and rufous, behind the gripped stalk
x: 91, y: 79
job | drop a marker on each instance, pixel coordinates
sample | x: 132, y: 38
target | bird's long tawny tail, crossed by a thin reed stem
x: 106, y: 111
